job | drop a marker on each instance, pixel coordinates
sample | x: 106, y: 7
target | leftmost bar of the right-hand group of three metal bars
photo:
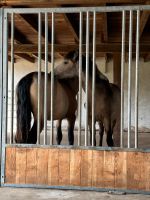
x: 122, y: 75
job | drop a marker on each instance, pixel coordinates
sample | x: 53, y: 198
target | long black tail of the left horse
x: 23, y: 108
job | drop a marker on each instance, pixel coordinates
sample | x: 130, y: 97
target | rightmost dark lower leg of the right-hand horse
x: 109, y: 139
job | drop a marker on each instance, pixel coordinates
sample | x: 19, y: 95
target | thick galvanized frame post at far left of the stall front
x: 5, y: 94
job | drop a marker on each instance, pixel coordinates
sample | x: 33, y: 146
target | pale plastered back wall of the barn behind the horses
x: 23, y: 67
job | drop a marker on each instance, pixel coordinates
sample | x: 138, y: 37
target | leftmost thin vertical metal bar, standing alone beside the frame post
x: 12, y: 78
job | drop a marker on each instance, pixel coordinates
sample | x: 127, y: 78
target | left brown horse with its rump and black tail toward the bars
x: 65, y: 105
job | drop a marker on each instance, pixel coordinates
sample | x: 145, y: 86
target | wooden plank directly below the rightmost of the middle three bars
x: 97, y: 172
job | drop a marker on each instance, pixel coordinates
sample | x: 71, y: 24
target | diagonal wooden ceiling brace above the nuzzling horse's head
x: 69, y: 18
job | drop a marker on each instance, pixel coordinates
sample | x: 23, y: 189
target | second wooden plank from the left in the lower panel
x: 20, y: 165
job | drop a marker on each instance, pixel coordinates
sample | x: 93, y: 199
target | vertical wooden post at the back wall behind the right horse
x: 117, y: 69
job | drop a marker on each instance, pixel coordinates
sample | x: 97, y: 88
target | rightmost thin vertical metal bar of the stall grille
x: 137, y: 78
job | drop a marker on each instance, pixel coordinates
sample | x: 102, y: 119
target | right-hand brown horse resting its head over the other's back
x: 107, y: 102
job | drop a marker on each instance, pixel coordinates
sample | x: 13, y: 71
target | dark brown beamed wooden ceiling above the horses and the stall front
x: 108, y: 31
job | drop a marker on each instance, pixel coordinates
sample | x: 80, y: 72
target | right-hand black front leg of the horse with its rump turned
x: 71, y: 122
